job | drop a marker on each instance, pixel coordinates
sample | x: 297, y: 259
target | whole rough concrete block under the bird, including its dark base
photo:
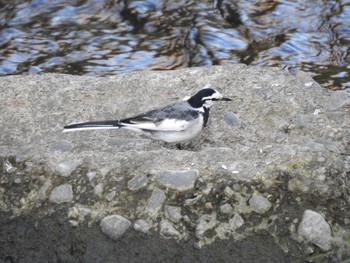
x: 283, y: 138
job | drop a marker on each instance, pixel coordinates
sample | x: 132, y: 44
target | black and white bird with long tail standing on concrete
x: 175, y: 123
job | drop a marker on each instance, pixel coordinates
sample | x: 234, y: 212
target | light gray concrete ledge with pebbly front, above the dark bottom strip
x: 282, y: 137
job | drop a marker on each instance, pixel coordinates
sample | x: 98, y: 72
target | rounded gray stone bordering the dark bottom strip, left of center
x: 114, y: 226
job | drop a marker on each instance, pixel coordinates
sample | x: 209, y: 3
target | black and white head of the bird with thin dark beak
x: 206, y: 98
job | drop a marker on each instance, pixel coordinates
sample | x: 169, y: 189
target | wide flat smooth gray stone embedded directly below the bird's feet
x: 178, y: 180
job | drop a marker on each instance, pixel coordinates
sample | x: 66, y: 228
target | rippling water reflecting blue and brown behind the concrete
x: 99, y: 38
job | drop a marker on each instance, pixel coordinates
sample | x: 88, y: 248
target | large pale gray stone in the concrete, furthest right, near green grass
x: 316, y: 230
